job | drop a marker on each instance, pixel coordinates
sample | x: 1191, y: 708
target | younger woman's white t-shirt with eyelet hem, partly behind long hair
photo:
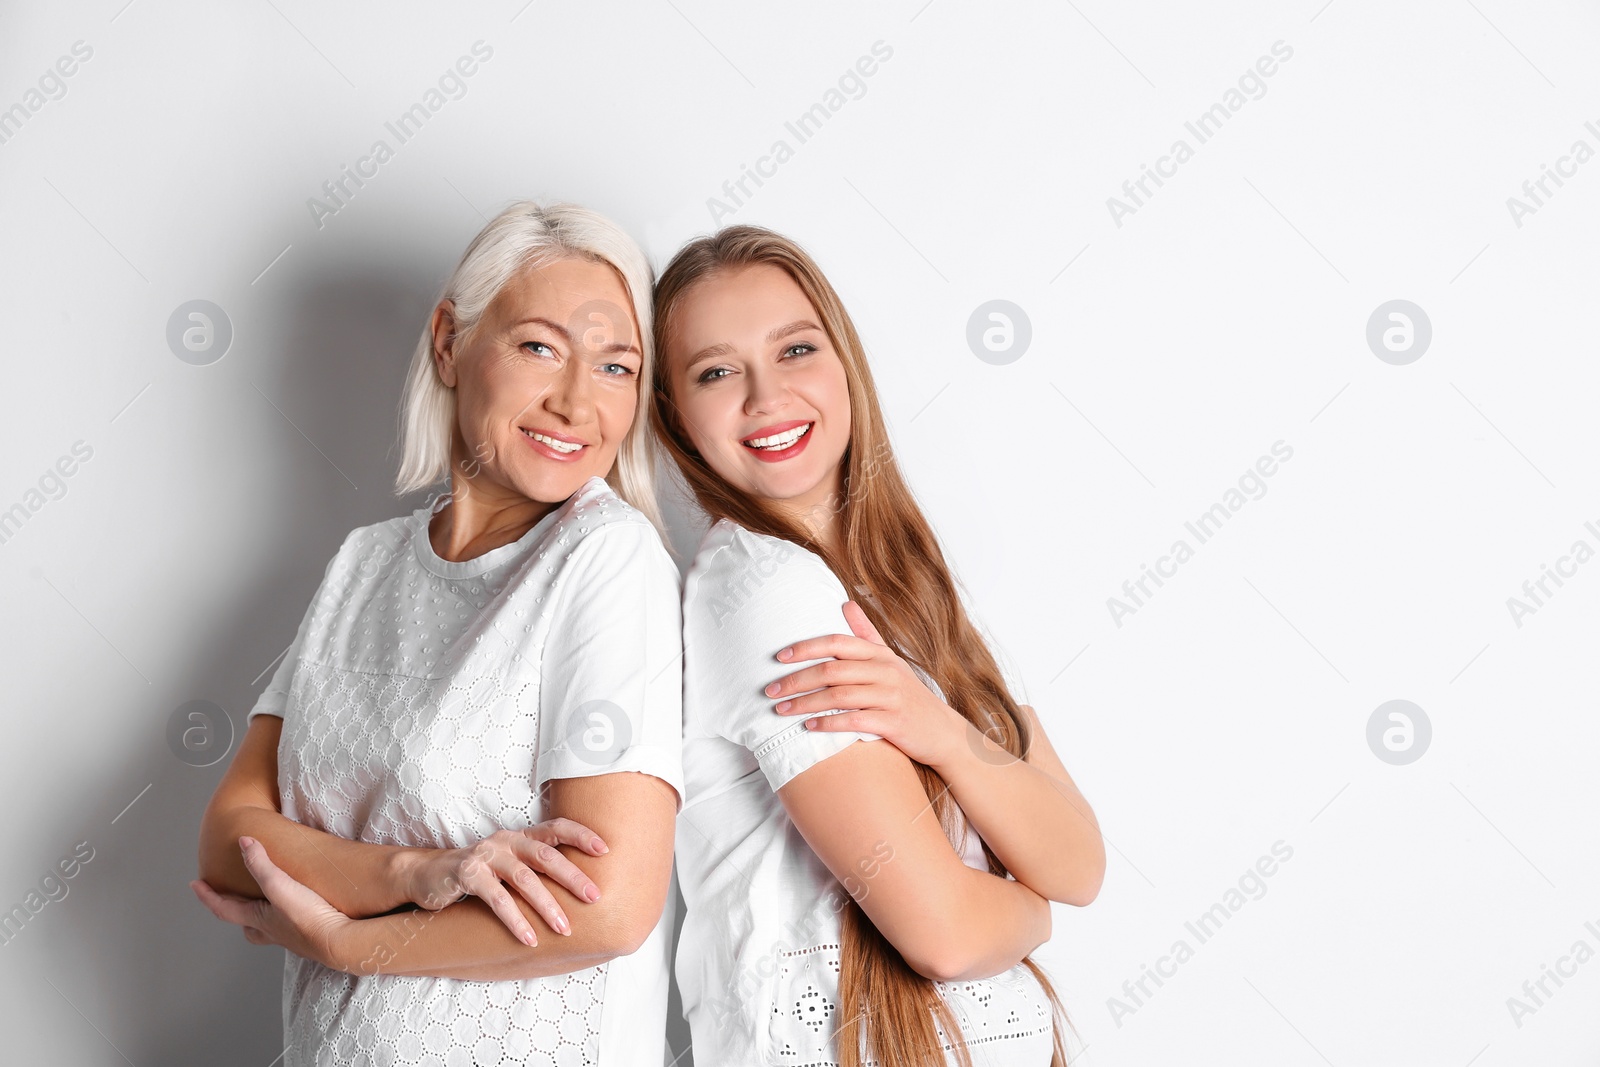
x: 758, y: 959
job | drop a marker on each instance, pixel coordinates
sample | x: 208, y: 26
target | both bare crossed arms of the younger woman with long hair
x: 946, y: 919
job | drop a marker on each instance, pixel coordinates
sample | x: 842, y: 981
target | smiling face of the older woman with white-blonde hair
x: 548, y: 385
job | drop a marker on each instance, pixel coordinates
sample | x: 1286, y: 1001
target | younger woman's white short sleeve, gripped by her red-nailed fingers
x: 754, y: 597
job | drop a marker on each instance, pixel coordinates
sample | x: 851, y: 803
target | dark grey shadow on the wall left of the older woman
x: 337, y: 369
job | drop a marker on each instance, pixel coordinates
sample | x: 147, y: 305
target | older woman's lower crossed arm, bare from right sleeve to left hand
x: 470, y: 940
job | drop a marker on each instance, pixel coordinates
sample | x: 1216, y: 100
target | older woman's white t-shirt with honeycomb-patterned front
x: 426, y: 703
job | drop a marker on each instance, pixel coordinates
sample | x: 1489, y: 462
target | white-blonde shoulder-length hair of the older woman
x: 526, y: 236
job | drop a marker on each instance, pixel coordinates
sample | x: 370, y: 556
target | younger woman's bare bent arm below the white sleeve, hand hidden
x: 865, y: 813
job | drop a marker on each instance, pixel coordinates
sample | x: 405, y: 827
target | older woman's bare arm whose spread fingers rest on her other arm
x: 361, y: 879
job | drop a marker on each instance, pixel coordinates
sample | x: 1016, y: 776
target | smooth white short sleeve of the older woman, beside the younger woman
x: 612, y: 679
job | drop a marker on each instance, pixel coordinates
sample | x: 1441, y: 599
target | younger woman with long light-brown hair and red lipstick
x: 847, y: 903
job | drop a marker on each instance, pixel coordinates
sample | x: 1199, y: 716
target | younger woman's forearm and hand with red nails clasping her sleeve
x: 1057, y: 850
